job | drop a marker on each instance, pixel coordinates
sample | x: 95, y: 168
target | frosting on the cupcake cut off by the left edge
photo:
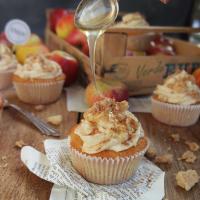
x: 7, y: 58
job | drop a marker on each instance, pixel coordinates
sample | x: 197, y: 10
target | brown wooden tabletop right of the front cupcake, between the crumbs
x: 159, y: 135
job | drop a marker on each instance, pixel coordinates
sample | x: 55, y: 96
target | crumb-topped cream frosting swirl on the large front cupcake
x: 108, y: 125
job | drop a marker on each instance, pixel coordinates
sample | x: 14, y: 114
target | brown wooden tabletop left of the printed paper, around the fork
x: 16, y: 182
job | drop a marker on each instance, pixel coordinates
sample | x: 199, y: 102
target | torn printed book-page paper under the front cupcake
x: 56, y: 168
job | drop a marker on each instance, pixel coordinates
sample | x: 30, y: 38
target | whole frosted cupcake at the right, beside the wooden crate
x: 177, y: 101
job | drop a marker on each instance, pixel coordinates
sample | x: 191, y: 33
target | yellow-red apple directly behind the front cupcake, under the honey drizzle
x: 106, y: 88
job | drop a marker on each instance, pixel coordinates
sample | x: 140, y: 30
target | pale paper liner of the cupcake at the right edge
x: 175, y: 115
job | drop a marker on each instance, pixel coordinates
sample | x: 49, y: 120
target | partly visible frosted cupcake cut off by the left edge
x: 8, y: 64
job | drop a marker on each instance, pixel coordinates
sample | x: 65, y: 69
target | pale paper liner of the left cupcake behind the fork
x: 39, y: 93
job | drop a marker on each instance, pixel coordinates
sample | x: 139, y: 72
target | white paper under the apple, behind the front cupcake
x: 76, y: 102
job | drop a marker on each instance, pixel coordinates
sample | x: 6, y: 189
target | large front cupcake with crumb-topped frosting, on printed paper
x: 109, y: 143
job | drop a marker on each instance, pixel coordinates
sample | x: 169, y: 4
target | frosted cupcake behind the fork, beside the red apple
x: 39, y: 80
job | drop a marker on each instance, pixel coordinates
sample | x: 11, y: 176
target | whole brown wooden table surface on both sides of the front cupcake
x: 17, y: 183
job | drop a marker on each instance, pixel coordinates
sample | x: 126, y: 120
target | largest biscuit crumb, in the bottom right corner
x: 187, y: 179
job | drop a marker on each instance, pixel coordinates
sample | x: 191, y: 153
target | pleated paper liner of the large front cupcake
x: 105, y: 170
